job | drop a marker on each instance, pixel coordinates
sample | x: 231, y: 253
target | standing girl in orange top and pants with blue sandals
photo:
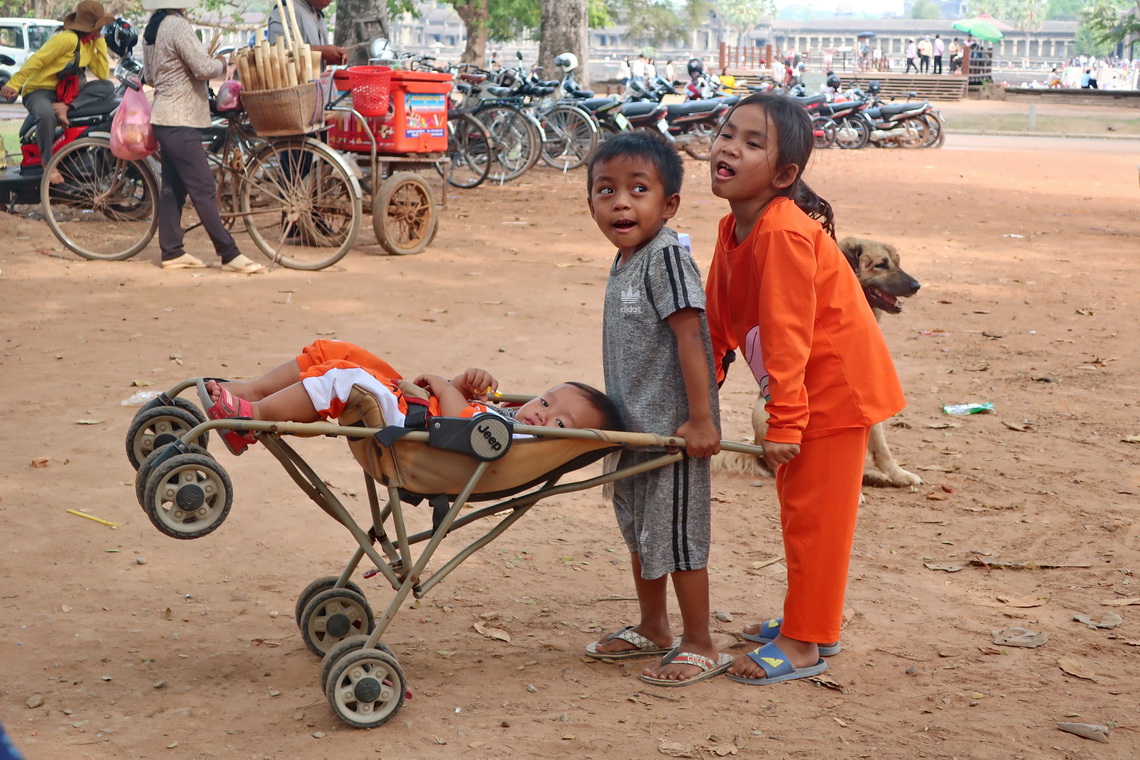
x: 781, y: 292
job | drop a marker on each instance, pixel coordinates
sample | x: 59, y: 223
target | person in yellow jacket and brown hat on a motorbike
x: 40, y: 76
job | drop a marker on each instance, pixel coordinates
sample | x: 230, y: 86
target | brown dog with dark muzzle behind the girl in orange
x: 884, y: 283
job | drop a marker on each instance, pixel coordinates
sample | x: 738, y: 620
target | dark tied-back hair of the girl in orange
x: 797, y: 138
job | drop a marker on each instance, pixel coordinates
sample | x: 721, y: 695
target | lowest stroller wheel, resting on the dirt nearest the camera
x: 367, y: 689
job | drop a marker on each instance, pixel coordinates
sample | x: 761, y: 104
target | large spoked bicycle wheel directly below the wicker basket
x: 302, y: 207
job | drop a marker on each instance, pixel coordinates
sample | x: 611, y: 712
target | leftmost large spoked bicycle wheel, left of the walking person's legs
x: 105, y: 208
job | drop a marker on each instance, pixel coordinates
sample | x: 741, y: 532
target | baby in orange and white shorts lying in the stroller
x: 316, y: 386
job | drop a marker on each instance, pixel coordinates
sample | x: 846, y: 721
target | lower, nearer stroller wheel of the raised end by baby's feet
x: 188, y: 496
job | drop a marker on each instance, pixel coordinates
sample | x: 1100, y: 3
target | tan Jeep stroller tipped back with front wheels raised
x: 449, y: 463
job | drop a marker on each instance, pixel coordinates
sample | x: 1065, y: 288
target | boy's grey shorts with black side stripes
x: 664, y: 514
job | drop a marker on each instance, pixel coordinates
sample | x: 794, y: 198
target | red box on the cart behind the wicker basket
x: 417, y: 120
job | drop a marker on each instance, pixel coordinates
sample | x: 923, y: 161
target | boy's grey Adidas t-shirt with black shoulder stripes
x: 639, y: 348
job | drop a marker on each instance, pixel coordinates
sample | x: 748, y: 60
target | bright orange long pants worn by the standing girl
x: 819, y: 495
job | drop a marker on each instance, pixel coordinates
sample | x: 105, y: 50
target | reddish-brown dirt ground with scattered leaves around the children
x: 124, y: 643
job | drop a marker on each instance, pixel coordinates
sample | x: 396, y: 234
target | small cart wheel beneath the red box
x: 404, y: 215
